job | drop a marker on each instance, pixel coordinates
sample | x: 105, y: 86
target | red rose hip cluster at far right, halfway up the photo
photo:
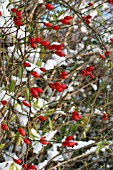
x: 88, y: 72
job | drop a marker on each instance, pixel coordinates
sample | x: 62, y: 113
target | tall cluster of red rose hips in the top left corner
x: 17, y: 18
